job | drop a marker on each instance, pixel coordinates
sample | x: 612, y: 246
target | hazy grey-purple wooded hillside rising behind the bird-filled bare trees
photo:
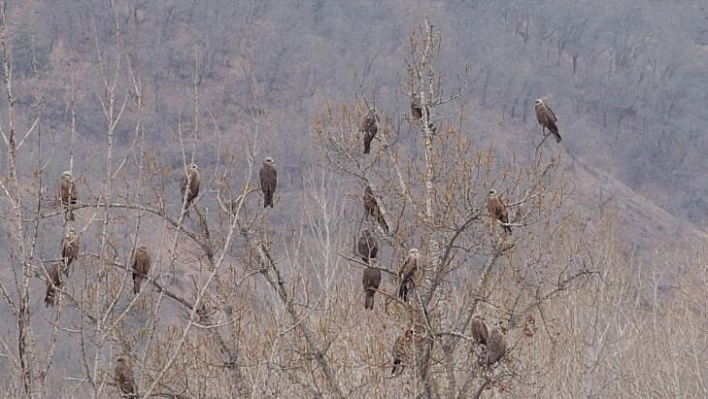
x: 627, y: 79
